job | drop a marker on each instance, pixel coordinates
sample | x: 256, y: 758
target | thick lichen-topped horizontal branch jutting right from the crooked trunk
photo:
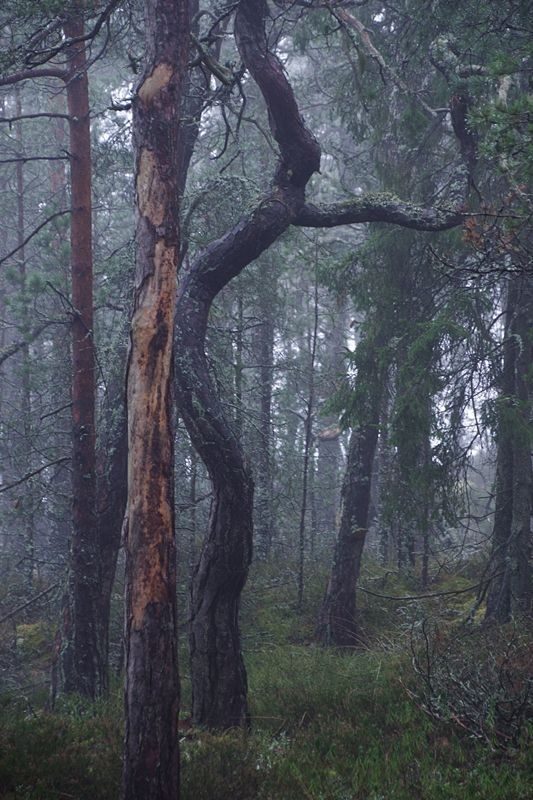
x: 379, y: 207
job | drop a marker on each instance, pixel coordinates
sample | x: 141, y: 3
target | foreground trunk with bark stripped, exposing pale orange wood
x: 151, y: 757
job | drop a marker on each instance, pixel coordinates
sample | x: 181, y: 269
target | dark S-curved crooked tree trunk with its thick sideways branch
x: 214, y: 624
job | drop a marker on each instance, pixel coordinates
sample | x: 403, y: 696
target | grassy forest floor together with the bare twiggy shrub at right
x: 362, y: 725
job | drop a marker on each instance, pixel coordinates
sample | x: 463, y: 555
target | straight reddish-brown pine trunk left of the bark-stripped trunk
x: 83, y: 664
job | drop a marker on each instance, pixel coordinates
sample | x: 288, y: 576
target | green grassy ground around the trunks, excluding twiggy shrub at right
x: 326, y: 725
